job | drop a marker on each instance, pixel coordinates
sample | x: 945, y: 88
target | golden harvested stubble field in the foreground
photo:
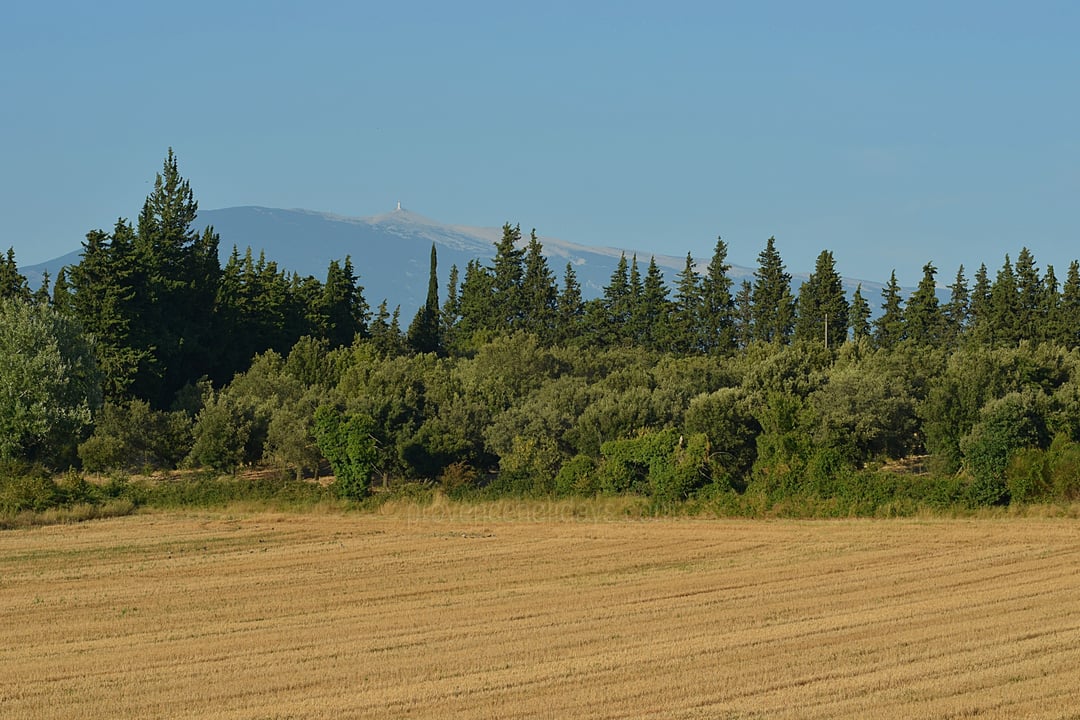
x: 221, y: 616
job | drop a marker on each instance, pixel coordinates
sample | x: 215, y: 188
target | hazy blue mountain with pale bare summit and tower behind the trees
x: 390, y: 252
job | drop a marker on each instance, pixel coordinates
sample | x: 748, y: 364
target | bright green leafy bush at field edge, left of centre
x: 347, y: 442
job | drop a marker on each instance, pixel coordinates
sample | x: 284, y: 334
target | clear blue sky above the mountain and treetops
x: 892, y: 134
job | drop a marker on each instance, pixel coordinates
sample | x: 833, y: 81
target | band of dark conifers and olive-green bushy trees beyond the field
x: 151, y: 355
